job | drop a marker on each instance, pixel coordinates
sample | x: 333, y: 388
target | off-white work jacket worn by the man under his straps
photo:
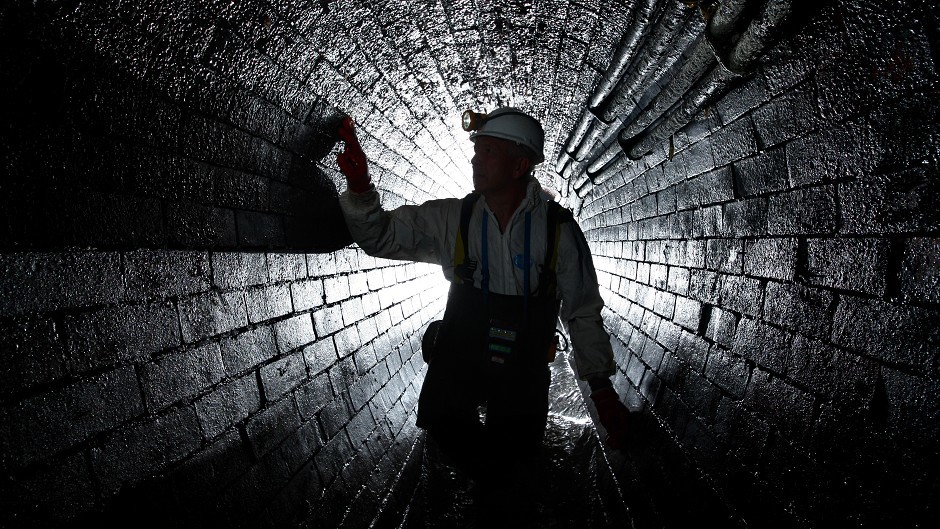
x: 428, y: 232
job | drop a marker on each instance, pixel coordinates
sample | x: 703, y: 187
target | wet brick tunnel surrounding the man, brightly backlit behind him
x: 192, y: 339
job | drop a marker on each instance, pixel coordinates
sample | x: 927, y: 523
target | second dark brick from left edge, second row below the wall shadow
x: 120, y: 335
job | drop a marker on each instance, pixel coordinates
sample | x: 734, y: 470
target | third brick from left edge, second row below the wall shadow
x: 211, y: 314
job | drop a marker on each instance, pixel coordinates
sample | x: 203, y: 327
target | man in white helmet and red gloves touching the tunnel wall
x: 515, y: 263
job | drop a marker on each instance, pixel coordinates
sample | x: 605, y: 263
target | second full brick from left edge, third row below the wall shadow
x: 181, y: 375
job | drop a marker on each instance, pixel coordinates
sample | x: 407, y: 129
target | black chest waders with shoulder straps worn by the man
x: 492, y: 348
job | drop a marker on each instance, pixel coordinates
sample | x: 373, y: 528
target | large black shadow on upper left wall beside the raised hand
x: 94, y: 158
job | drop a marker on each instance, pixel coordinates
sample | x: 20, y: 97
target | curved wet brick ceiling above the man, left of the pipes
x: 419, y: 63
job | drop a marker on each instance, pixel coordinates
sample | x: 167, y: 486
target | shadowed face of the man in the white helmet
x: 497, y: 165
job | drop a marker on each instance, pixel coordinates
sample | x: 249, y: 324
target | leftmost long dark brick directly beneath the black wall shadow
x: 43, y: 282
